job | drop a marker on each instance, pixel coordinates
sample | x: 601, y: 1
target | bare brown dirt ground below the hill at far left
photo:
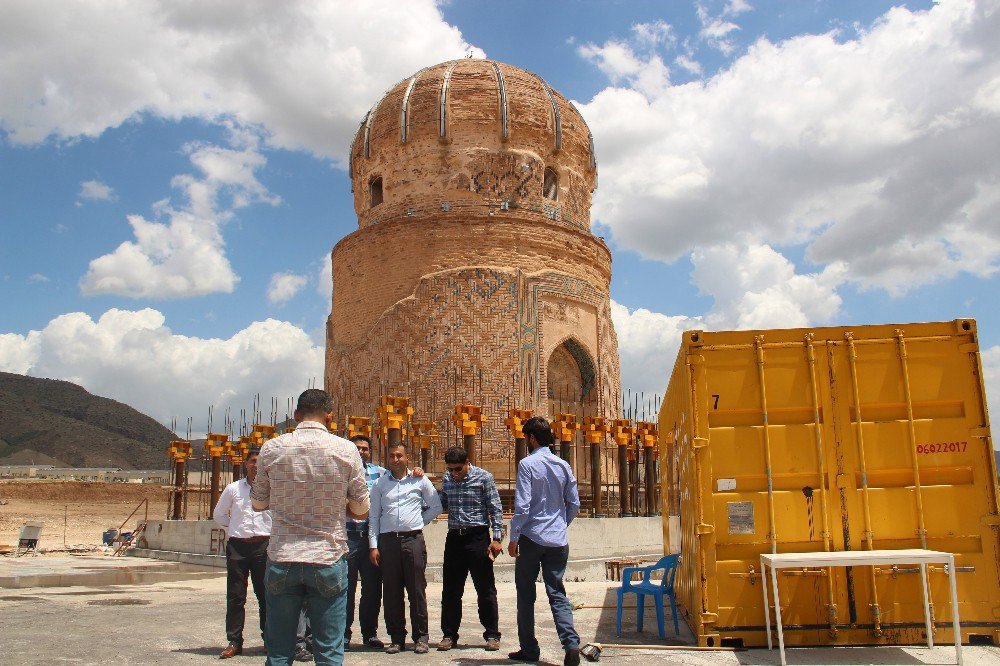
x: 75, y: 513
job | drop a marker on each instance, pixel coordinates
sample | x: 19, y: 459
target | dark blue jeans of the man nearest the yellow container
x: 552, y: 562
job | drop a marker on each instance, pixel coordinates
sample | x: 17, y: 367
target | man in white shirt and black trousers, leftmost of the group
x: 246, y: 553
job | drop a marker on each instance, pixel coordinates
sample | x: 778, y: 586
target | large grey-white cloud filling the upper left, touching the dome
x: 304, y: 71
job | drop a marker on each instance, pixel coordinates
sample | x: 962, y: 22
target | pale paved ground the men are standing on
x: 169, y: 613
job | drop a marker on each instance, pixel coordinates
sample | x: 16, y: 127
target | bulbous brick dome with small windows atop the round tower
x: 431, y: 142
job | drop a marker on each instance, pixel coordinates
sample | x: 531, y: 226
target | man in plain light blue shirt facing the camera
x: 402, y: 504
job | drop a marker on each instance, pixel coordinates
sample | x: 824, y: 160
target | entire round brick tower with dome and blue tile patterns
x: 466, y: 284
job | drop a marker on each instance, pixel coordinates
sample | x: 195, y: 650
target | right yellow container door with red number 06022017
x: 914, y: 470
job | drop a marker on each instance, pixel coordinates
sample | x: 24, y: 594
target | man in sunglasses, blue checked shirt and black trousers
x: 469, y: 496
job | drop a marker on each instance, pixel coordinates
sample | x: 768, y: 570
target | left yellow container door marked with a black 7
x: 769, y: 483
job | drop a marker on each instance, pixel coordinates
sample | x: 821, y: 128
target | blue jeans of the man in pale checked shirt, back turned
x: 324, y: 587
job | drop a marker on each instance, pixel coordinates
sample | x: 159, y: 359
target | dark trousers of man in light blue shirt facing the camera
x: 404, y: 564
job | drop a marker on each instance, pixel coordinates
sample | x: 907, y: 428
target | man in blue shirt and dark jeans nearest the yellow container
x: 545, y: 502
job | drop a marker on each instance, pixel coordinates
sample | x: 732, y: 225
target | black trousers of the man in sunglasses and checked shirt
x: 466, y: 554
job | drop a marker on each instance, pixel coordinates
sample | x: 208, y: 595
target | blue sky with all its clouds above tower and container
x: 173, y: 173
